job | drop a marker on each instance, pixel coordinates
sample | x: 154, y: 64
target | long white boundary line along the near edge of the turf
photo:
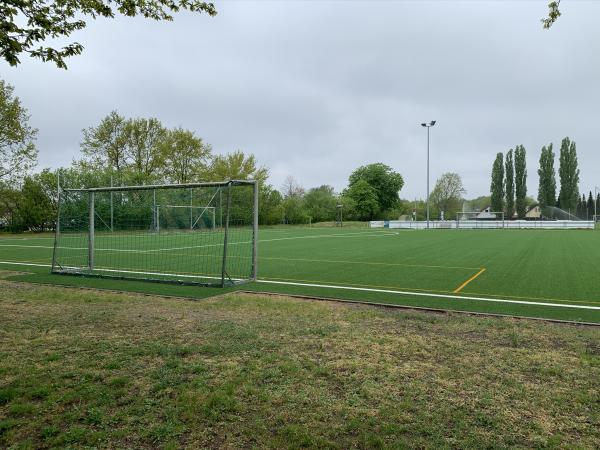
x: 351, y: 288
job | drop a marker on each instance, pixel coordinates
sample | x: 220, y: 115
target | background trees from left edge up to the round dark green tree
x: 121, y: 151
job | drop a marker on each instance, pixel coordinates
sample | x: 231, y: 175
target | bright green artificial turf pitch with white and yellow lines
x: 551, y: 274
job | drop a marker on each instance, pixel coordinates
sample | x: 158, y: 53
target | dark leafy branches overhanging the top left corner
x: 25, y: 24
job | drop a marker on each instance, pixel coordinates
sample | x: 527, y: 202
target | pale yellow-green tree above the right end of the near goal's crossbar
x: 236, y: 166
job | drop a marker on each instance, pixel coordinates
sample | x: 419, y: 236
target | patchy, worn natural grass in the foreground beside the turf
x: 82, y: 368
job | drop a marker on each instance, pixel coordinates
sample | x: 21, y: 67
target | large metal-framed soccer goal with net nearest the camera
x: 201, y: 233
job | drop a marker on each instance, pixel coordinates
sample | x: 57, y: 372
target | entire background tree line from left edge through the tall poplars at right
x: 122, y: 151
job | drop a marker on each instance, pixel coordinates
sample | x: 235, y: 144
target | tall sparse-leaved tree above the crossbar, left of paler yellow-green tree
x: 185, y: 156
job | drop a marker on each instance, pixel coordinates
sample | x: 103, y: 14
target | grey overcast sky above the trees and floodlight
x: 317, y: 88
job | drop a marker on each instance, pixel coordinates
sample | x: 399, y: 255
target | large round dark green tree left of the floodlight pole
x: 385, y: 182
